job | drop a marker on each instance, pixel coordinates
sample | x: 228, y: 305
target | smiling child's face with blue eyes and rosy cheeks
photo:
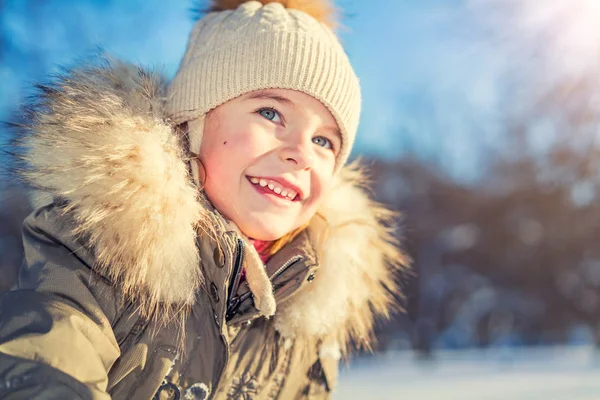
x: 269, y: 157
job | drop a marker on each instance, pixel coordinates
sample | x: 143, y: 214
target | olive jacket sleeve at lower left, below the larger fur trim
x: 56, y: 340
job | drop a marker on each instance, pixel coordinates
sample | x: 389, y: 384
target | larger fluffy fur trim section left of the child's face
x: 96, y: 139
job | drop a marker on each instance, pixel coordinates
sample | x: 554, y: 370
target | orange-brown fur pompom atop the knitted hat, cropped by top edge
x: 321, y: 10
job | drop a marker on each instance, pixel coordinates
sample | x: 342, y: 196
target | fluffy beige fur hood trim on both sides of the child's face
x: 98, y: 138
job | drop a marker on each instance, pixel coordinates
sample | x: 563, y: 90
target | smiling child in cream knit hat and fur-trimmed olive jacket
x: 206, y: 242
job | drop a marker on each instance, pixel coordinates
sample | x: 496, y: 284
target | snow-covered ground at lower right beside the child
x: 564, y: 373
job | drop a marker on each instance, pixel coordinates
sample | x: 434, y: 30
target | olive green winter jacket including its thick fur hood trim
x: 131, y: 288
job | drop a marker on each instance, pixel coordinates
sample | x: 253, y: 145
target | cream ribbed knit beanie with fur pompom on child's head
x: 254, y: 46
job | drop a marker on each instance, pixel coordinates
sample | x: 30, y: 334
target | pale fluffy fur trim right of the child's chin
x: 356, y: 281
